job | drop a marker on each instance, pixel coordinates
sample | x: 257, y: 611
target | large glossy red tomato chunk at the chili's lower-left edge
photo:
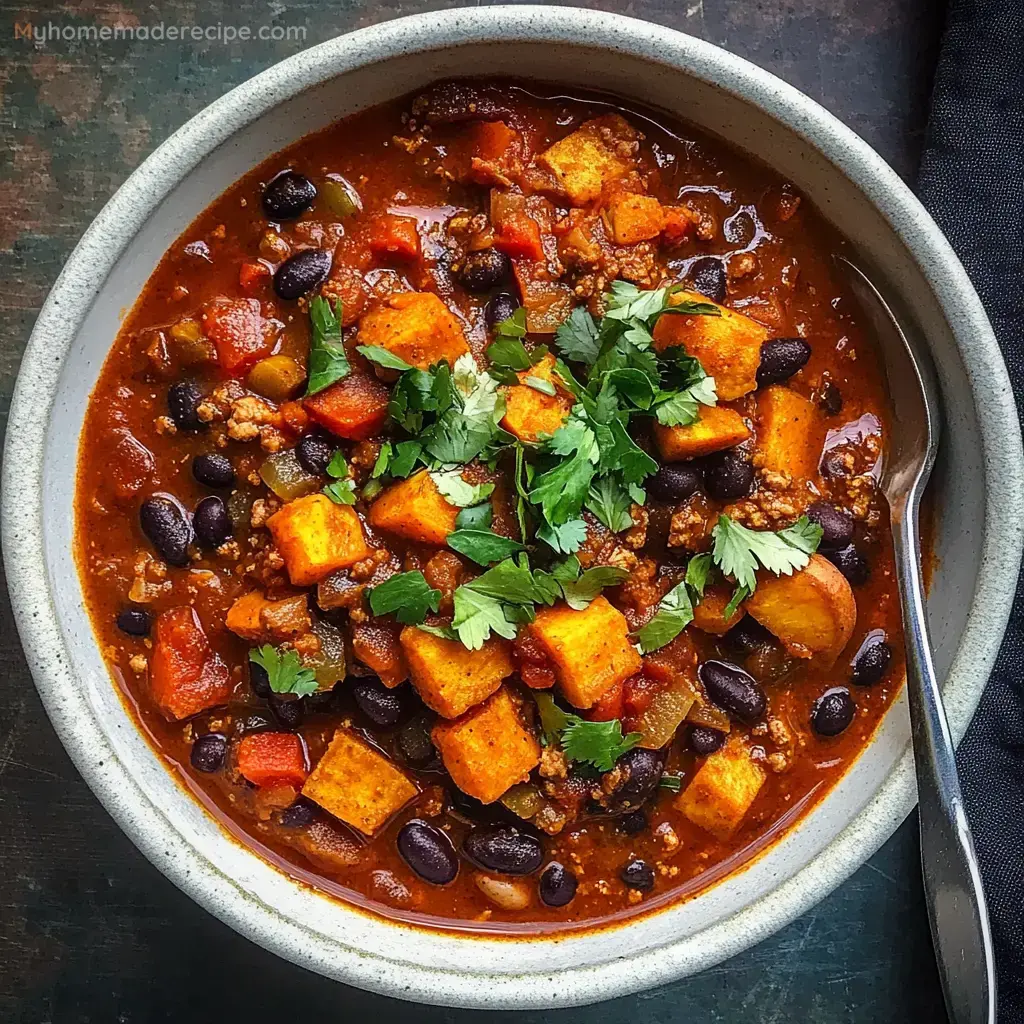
x: 187, y: 676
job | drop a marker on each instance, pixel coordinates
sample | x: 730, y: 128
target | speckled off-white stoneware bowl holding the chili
x: 978, y: 488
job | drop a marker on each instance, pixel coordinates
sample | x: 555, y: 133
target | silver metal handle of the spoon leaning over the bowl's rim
x: 957, y: 908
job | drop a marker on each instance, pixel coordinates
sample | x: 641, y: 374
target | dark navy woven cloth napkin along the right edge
x: 972, y: 182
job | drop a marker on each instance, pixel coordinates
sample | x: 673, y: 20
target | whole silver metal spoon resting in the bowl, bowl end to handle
x: 957, y: 907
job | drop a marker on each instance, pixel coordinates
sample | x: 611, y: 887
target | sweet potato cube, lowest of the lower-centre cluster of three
x: 488, y: 750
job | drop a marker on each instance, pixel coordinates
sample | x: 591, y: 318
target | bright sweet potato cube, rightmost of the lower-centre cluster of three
x: 590, y: 650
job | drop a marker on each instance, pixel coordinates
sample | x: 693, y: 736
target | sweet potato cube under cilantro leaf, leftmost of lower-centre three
x: 451, y: 679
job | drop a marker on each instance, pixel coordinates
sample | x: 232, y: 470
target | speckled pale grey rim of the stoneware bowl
x: 103, y: 246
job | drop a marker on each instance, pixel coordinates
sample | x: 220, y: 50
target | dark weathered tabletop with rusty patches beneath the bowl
x: 90, y: 931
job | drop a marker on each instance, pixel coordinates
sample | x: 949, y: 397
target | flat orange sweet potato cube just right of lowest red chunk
x: 357, y: 785
